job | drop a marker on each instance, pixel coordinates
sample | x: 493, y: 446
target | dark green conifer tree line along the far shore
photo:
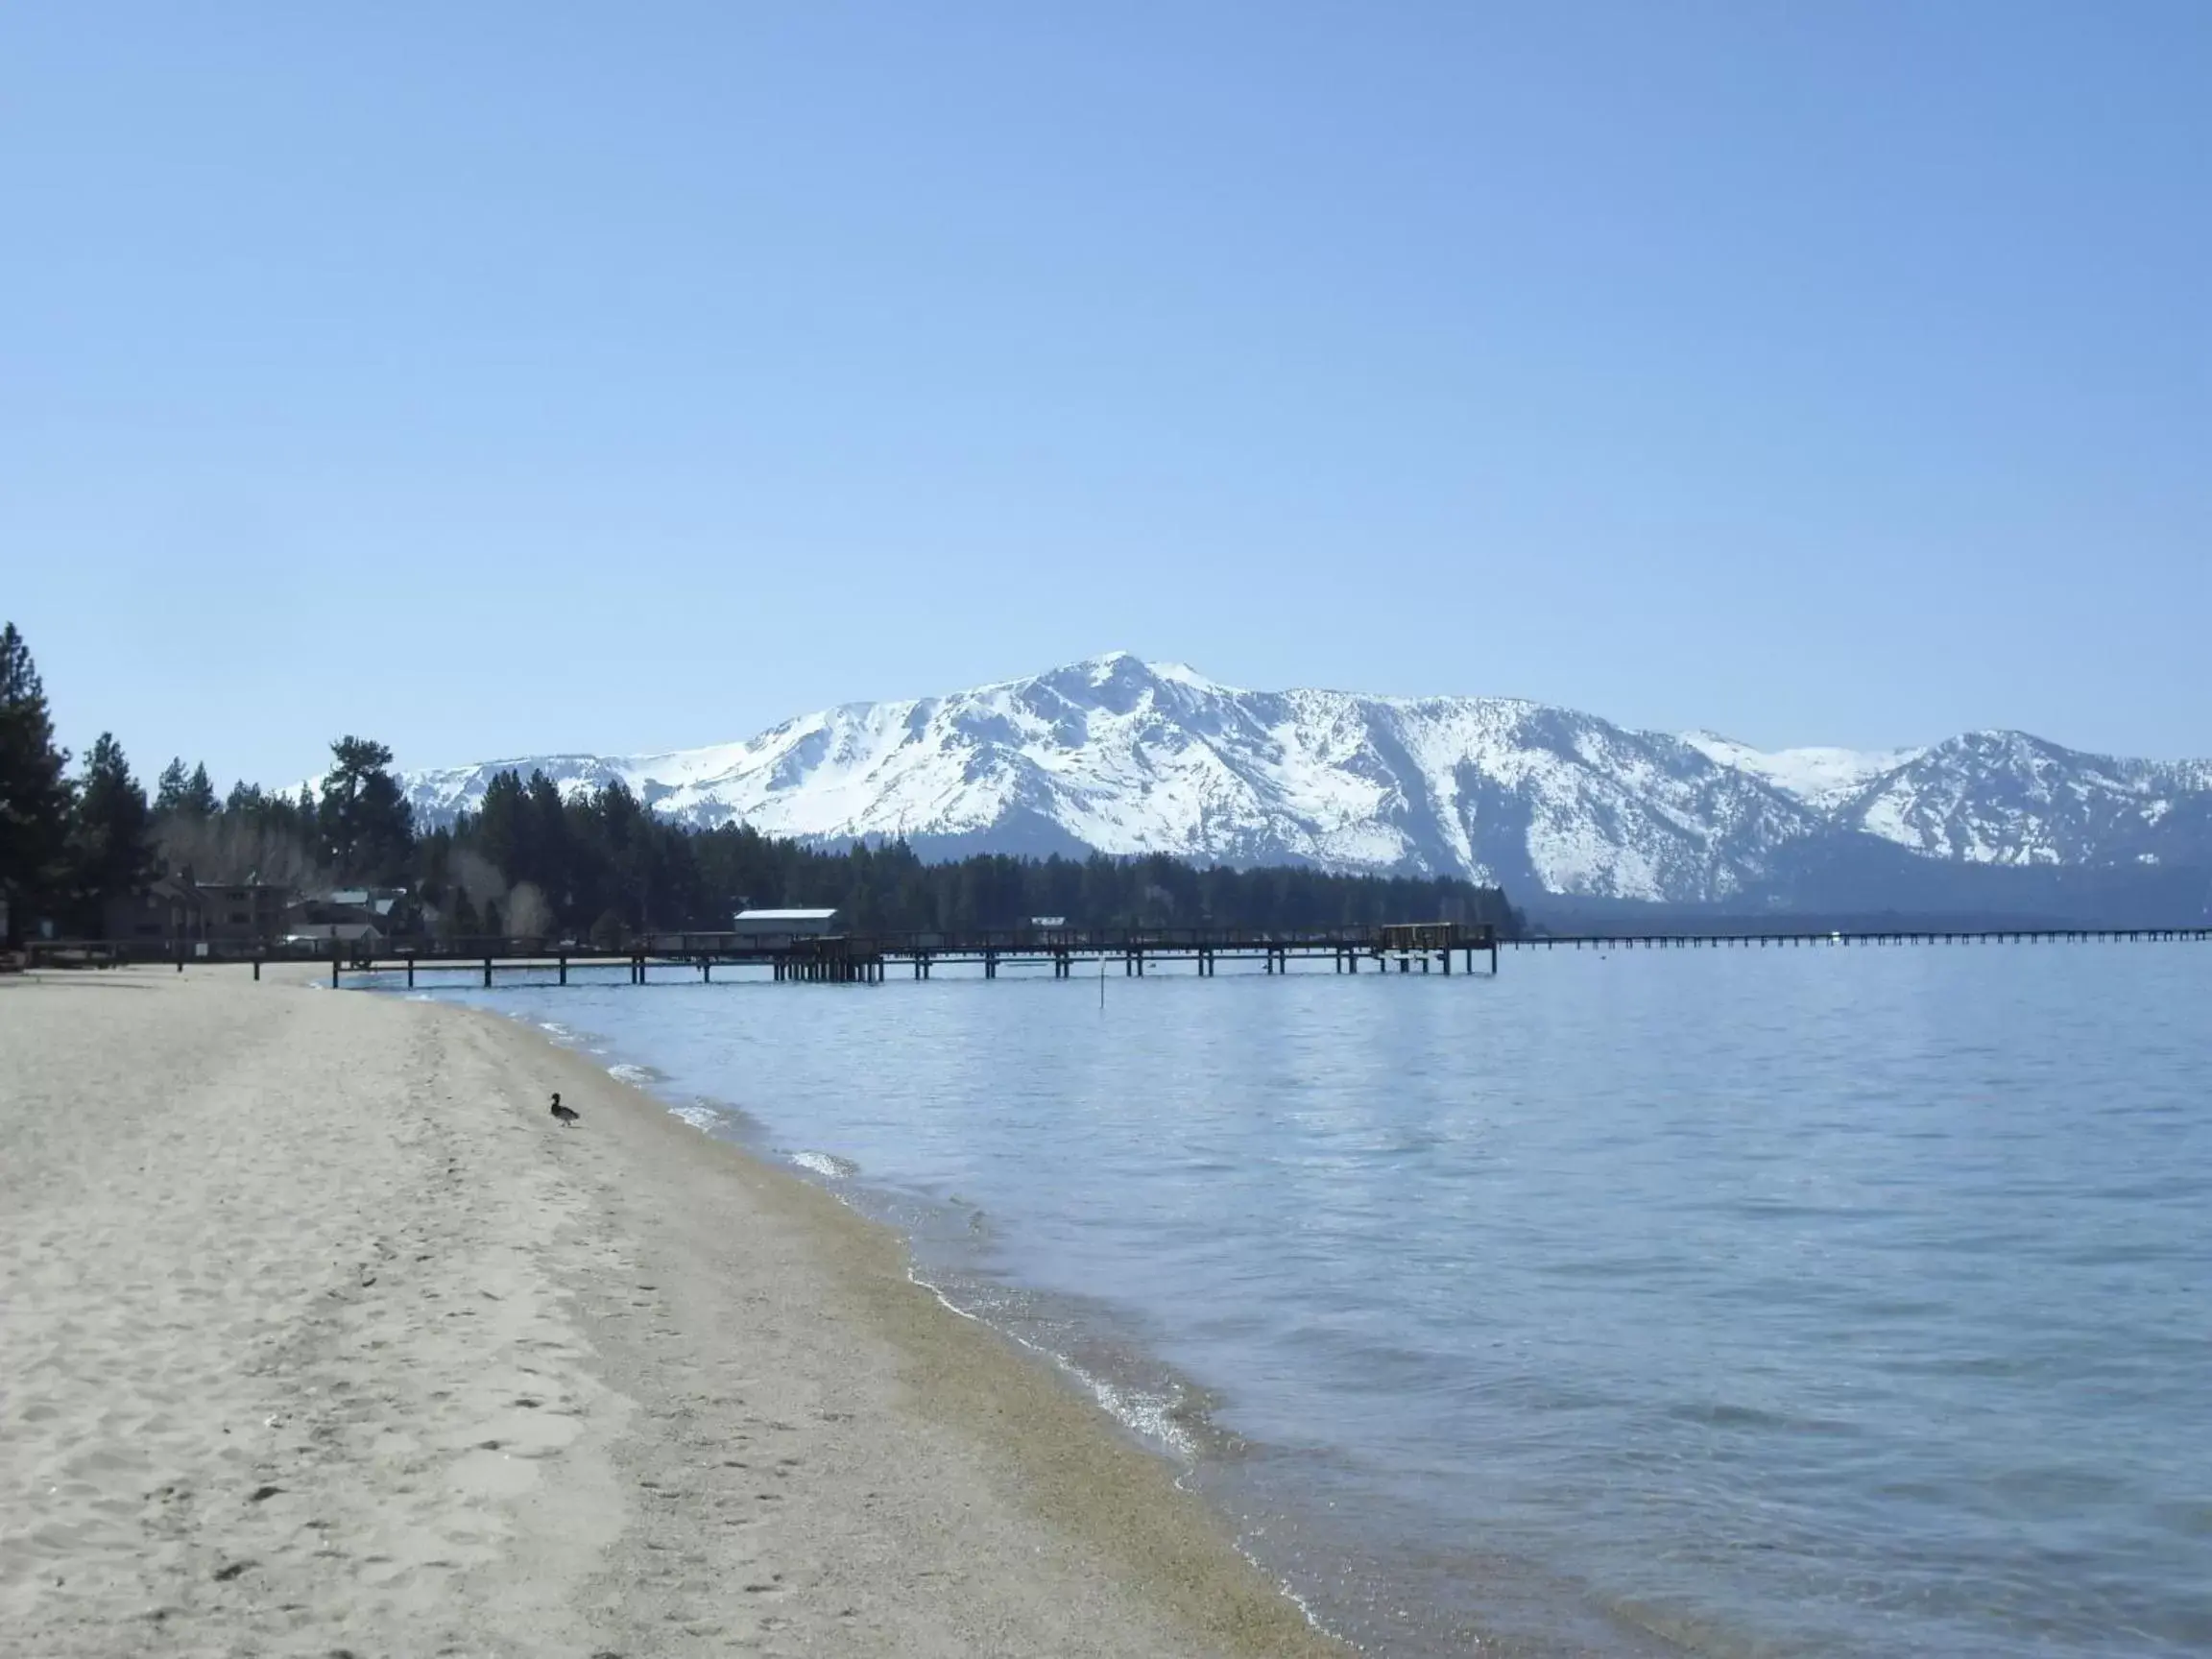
x: 534, y: 862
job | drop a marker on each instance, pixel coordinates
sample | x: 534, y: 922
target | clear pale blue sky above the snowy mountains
x: 501, y: 377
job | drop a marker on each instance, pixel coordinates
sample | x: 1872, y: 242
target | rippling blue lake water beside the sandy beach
x: 1811, y: 1302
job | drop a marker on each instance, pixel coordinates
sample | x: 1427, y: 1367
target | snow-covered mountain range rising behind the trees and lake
x: 1120, y: 755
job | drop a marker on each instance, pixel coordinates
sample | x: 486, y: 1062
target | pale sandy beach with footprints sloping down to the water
x: 320, y: 1337
